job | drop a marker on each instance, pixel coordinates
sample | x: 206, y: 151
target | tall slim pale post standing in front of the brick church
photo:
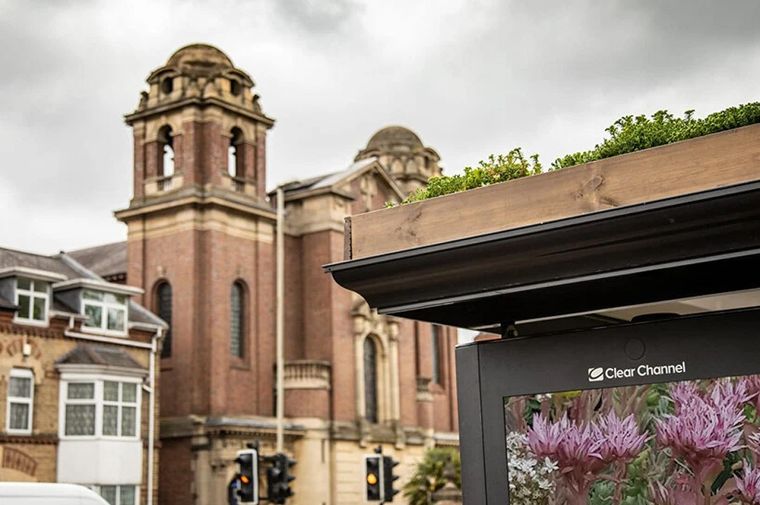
x: 280, y: 318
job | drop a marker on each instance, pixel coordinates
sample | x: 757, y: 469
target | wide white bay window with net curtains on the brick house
x: 101, y: 408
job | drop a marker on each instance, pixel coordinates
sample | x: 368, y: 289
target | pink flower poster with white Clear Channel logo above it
x: 585, y: 446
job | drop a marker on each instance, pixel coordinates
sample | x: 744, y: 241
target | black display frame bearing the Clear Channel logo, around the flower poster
x: 710, y: 345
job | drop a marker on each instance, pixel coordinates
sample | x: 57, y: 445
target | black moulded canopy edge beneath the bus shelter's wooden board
x: 686, y: 246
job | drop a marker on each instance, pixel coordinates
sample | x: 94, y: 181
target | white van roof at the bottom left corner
x: 38, y: 493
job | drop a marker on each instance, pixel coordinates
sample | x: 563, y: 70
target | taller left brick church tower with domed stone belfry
x: 201, y: 245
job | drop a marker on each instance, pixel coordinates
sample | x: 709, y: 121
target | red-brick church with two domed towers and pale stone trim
x: 201, y: 244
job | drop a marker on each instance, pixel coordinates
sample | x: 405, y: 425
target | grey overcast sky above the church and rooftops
x: 471, y: 77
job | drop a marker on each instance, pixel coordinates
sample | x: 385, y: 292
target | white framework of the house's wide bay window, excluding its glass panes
x: 99, y: 402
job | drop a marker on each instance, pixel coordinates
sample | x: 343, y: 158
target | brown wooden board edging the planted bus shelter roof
x: 700, y: 164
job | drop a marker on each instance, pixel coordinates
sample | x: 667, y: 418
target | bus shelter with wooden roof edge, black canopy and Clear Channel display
x: 617, y: 278
